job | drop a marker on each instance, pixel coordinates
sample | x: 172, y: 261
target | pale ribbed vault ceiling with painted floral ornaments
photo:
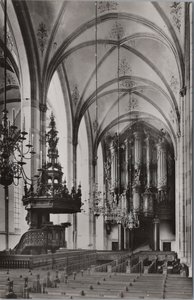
x: 144, y: 41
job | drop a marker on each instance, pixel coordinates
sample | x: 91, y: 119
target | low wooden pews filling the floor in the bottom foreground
x: 87, y: 284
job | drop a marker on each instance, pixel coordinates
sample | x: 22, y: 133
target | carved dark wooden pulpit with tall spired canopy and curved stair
x: 51, y: 196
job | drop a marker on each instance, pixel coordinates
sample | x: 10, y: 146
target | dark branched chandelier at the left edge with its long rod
x: 12, y: 153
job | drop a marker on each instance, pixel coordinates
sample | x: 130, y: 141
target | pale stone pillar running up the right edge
x: 186, y: 93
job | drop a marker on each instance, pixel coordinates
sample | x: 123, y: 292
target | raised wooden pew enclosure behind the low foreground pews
x: 74, y: 260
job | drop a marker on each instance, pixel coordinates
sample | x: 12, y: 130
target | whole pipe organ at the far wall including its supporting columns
x: 142, y: 183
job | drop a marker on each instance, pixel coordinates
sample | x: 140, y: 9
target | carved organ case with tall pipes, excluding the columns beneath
x: 141, y: 172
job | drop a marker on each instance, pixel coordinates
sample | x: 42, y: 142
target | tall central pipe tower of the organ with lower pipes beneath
x: 136, y: 182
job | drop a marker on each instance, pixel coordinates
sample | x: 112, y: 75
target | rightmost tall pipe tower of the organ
x: 162, y: 170
